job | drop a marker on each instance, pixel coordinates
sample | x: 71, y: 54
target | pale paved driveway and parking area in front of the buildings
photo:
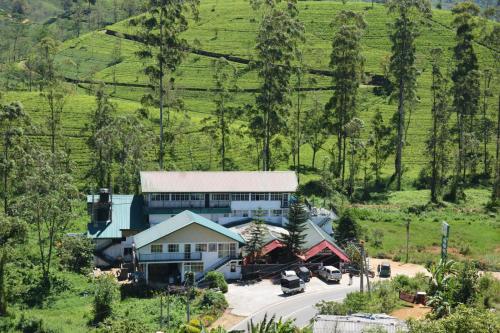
x: 265, y: 297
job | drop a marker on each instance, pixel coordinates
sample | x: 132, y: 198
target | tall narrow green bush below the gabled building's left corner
x: 104, y: 295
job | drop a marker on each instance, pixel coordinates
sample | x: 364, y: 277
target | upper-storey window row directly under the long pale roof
x: 273, y: 196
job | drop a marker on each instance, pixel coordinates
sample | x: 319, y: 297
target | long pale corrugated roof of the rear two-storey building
x: 218, y: 181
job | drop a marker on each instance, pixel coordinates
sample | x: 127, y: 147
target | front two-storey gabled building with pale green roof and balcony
x: 184, y: 243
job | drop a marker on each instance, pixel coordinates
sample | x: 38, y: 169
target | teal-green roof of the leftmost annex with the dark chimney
x: 126, y: 214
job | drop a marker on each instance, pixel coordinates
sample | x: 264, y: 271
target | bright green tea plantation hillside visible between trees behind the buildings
x: 229, y: 28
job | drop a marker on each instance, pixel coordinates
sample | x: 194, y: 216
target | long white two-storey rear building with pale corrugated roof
x: 223, y: 197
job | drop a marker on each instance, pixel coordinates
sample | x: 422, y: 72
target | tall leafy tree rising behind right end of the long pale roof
x: 277, y: 48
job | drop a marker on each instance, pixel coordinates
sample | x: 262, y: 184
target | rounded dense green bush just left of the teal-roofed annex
x: 76, y: 254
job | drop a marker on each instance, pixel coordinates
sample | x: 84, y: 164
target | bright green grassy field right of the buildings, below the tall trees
x: 474, y: 233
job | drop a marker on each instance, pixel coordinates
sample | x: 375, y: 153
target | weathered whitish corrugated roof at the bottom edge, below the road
x: 358, y: 323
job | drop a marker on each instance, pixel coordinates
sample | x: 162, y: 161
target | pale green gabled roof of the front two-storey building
x: 180, y: 221
